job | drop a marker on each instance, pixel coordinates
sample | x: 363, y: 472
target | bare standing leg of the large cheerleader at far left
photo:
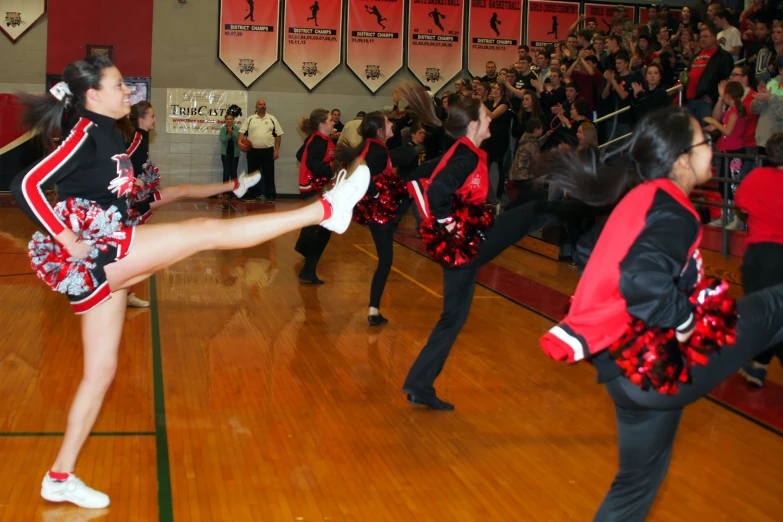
x: 101, y: 333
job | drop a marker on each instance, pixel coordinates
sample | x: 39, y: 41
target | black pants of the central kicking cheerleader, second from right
x: 458, y: 286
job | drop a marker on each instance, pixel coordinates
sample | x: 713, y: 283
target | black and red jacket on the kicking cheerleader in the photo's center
x: 462, y: 170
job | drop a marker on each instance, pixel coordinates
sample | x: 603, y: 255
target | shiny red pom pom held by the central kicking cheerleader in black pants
x: 461, y: 245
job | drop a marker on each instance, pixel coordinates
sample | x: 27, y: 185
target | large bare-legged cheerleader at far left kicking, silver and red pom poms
x: 90, y: 255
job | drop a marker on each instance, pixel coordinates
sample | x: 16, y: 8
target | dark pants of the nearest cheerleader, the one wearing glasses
x: 647, y: 421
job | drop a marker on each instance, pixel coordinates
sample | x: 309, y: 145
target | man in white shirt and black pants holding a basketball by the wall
x: 264, y: 132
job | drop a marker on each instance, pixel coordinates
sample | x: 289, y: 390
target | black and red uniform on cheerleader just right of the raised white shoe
x: 380, y: 160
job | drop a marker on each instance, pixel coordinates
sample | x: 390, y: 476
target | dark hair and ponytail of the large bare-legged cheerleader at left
x: 48, y: 116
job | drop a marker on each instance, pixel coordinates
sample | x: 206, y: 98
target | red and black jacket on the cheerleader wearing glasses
x: 644, y: 265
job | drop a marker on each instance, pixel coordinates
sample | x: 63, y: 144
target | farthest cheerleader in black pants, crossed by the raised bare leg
x: 315, y: 168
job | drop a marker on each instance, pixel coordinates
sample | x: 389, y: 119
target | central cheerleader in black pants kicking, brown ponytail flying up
x: 458, y: 180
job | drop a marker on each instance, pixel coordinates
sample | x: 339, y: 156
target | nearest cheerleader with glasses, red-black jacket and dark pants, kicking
x: 635, y: 315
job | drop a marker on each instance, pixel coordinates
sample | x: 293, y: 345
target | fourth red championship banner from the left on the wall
x: 434, y: 43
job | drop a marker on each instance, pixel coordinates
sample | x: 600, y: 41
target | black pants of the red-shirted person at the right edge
x: 762, y: 267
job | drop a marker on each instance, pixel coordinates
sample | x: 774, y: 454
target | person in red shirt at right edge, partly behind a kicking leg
x: 758, y: 196
